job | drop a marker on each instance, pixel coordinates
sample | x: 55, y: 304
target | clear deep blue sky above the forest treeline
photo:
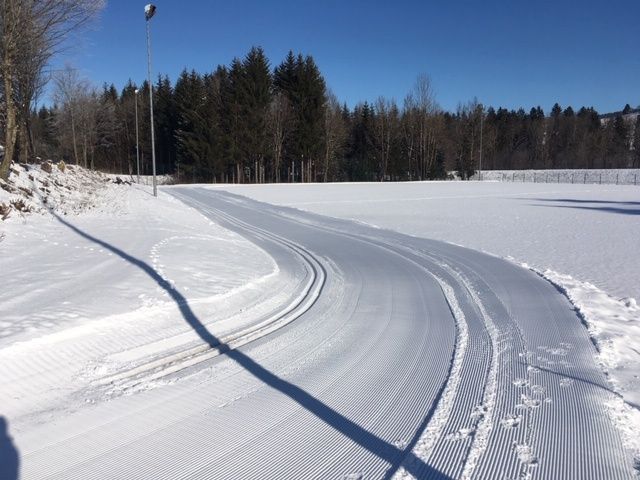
x: 508, y: 53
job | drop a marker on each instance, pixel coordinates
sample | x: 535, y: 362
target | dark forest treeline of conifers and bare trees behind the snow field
x: 249, y: 122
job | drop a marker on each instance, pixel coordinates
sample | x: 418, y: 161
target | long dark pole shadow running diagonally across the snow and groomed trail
x: 379, y: 447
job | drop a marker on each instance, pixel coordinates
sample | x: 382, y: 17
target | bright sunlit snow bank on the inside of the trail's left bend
x: 73, y: 286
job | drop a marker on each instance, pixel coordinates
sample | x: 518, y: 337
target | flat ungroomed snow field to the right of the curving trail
x: 583, y: 238
